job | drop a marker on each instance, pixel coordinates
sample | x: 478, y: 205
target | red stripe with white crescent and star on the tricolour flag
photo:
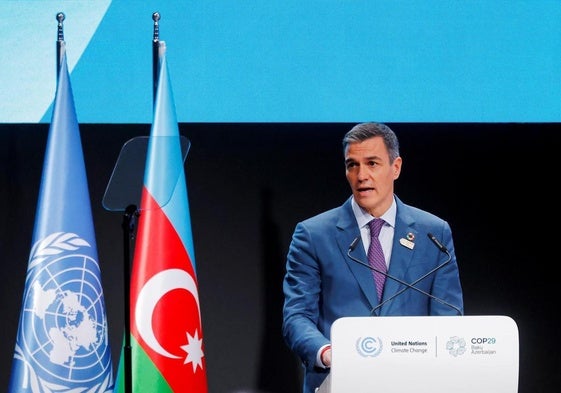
x: 165, y: 313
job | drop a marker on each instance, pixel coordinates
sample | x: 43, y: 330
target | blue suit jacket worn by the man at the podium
x: 323, y: 284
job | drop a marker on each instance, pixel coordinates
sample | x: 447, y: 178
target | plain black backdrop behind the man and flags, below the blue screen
x: 248, y: 186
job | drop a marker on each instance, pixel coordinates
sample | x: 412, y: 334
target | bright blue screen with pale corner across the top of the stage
x: 289, y: 61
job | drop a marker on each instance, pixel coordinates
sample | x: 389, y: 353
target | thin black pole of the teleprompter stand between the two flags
x: 128, y: 225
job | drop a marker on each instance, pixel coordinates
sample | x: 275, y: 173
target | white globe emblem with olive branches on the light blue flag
x: 63, y: 328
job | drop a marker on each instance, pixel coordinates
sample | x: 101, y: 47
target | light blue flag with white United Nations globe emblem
x: 62, y: 340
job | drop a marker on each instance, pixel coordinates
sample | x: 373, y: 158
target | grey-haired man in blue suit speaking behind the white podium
x: 324, y: 281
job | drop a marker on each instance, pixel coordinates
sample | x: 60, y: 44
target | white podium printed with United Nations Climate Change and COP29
x: 428, y: 354
